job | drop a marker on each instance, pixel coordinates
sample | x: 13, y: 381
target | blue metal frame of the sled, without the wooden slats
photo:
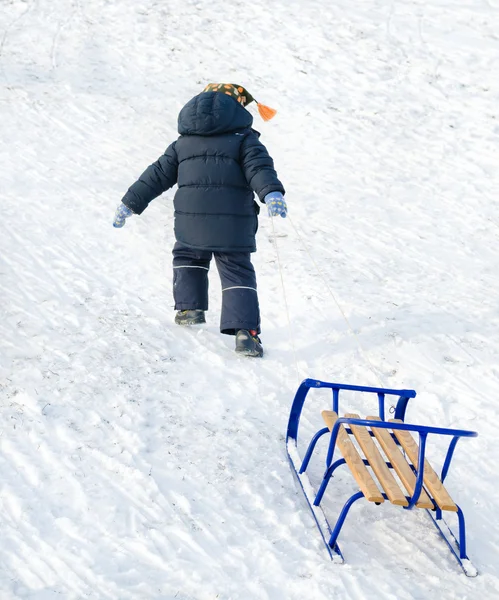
x: 457, y: 545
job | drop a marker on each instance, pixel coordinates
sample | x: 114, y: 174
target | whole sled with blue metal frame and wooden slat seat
x: 387, y: 447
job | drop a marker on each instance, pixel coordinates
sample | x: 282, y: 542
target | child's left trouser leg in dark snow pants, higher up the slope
x: 190, y: 278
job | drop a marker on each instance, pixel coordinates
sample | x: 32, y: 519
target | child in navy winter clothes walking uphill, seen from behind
x: 218, y: 163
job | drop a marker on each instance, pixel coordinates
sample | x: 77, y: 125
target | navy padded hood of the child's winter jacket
x: 211, y: 113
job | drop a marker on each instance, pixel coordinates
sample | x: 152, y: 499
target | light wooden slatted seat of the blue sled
x: 364, y: 436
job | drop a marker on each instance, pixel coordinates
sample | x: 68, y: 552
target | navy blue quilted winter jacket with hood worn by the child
x: 218, y: 163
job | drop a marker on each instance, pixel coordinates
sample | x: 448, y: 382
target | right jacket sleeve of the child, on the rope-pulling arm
x: 258, y: 167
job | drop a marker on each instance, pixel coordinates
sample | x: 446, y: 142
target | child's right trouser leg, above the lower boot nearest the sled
x: 240, y: 308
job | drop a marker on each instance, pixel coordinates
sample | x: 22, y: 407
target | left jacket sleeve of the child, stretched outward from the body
x: 156, y: 179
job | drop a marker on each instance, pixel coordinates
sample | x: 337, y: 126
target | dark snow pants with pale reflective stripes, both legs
x: 240, y: 308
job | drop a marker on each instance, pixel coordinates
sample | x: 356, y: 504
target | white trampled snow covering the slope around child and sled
x: 140, y: 460
